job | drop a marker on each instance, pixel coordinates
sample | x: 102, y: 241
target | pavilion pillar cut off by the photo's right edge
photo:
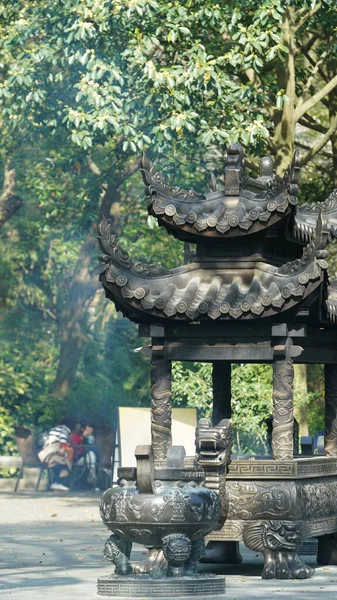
x: 330, y: 438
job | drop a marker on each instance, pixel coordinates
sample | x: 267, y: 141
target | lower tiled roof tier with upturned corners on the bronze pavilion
x: 193, y: 291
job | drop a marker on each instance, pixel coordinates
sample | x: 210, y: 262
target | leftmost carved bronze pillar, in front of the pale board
x: 161, y: 407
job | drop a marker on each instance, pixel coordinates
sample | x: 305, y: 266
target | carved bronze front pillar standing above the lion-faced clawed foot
x: 283, y: 421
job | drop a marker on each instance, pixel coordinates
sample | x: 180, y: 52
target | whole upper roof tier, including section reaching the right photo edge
x: 244, y: 205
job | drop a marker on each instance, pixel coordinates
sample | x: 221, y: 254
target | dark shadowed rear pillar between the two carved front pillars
x: 221, y: 378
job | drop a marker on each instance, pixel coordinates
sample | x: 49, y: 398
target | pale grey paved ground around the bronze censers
x: 51, y: 549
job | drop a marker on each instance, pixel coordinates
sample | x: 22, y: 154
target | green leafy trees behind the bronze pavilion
x: 85, y: 87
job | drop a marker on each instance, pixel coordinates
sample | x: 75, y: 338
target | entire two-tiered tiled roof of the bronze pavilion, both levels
x: 271, y: 274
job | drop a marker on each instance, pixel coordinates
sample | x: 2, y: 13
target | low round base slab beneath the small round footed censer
x: 140, y: 587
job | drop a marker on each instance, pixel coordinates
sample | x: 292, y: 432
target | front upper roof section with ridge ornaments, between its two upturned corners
x: 244, y: 204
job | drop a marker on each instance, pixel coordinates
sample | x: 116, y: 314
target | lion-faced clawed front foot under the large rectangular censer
x: 279, y: 541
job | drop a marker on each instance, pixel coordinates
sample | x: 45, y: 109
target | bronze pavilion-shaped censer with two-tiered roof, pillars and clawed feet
x: 256, y: 289
